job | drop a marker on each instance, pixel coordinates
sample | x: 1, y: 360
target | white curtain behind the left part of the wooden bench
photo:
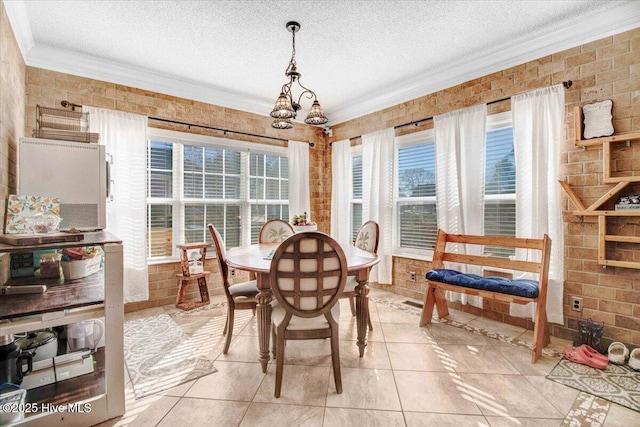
x: 460, y: 158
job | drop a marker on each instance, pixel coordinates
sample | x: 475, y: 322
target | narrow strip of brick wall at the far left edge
x: 12, y: 104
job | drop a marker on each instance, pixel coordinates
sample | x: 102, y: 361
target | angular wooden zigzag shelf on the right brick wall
x: 595, y: 209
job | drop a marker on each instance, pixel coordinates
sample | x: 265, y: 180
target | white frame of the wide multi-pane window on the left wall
x: 178, y: 201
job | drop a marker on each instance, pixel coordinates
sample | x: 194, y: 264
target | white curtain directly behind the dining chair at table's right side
x: 377, y: 196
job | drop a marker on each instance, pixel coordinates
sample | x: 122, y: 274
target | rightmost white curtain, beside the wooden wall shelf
x: 538, y: 119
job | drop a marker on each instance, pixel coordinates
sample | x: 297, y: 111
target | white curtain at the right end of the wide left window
x: 299, y: 199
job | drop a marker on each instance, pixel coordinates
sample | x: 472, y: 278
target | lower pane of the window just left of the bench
x: 418, y: 225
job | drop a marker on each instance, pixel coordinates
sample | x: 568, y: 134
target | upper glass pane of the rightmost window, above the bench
x: 500, y: 172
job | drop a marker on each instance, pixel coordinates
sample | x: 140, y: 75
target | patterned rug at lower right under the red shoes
x: 617, y: 383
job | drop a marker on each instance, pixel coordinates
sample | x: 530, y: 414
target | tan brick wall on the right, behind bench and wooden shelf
x: 604, y: 69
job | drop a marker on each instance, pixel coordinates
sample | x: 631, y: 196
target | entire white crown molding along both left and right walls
x: 595, y: 26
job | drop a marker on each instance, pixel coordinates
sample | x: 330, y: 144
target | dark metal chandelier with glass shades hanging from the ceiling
x: 286, y: 107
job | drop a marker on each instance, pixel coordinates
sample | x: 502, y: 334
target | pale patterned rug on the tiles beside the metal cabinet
x: 159, y: 355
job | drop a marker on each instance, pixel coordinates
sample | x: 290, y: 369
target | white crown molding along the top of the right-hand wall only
x: 596, y: 26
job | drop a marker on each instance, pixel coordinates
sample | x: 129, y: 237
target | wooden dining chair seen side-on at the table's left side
x: 240, y: 296
